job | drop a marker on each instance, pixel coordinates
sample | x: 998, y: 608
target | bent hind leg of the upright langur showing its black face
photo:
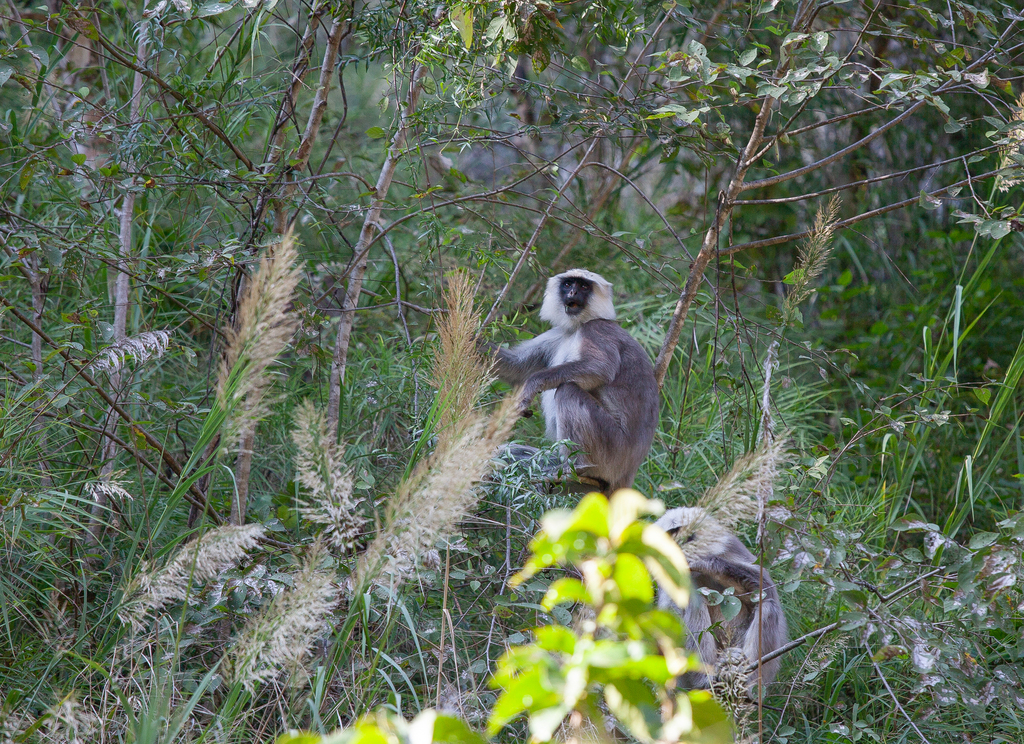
x: 585, y: 421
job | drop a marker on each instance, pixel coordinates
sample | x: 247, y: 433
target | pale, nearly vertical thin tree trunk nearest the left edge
x: 122, y: 291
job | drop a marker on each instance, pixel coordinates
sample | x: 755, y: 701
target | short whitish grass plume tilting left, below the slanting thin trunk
x: 321, y: 470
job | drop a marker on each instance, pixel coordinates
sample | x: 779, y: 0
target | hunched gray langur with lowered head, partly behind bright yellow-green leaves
x: 718, y: 560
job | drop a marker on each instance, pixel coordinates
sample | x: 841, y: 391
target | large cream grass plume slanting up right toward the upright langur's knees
x: 438, y: 496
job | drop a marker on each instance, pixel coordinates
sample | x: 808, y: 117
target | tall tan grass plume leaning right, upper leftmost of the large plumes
x: 265, y: 329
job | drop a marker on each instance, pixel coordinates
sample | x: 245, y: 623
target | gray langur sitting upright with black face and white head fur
x: 596, y: 383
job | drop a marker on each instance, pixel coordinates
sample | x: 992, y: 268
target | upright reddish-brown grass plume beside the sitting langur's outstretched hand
x: 458, y: 371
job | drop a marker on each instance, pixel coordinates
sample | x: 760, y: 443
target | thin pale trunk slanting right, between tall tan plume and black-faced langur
x: 362, y: 252
